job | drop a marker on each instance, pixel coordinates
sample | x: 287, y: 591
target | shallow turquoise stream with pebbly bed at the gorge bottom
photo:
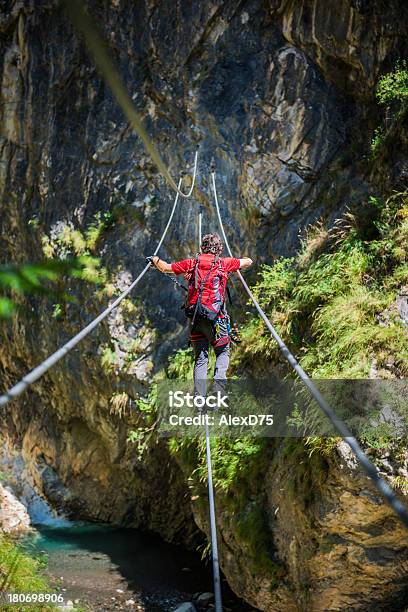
x: 108, y: 568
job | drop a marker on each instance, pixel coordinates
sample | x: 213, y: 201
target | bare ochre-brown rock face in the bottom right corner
x: 341, y: 547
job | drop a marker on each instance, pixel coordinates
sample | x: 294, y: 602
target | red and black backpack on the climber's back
x: 206, y: 289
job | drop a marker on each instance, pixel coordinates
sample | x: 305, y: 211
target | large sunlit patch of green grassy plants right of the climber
x: 327, y: 302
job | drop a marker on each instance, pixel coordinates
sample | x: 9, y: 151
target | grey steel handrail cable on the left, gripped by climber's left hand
x: 41, y: 369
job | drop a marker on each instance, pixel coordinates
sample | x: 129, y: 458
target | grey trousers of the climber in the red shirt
x: 204, y: 328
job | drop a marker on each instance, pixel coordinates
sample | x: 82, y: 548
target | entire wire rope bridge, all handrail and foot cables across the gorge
x: 99, y: 53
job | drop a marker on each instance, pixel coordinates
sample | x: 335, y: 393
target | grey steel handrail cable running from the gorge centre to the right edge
x: 383, y: 488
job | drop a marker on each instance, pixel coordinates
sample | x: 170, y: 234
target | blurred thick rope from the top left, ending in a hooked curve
x: 97, y: 48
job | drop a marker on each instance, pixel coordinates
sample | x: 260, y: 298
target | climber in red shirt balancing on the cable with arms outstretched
x: 207, y: 277
